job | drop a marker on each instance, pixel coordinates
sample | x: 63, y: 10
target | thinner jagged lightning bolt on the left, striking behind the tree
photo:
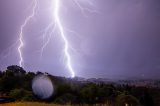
x: 21, y: 44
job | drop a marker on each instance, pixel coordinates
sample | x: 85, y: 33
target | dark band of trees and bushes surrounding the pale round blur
x: 15, y: 82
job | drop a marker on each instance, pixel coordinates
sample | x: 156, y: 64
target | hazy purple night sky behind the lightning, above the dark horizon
x: 122, y: 40
